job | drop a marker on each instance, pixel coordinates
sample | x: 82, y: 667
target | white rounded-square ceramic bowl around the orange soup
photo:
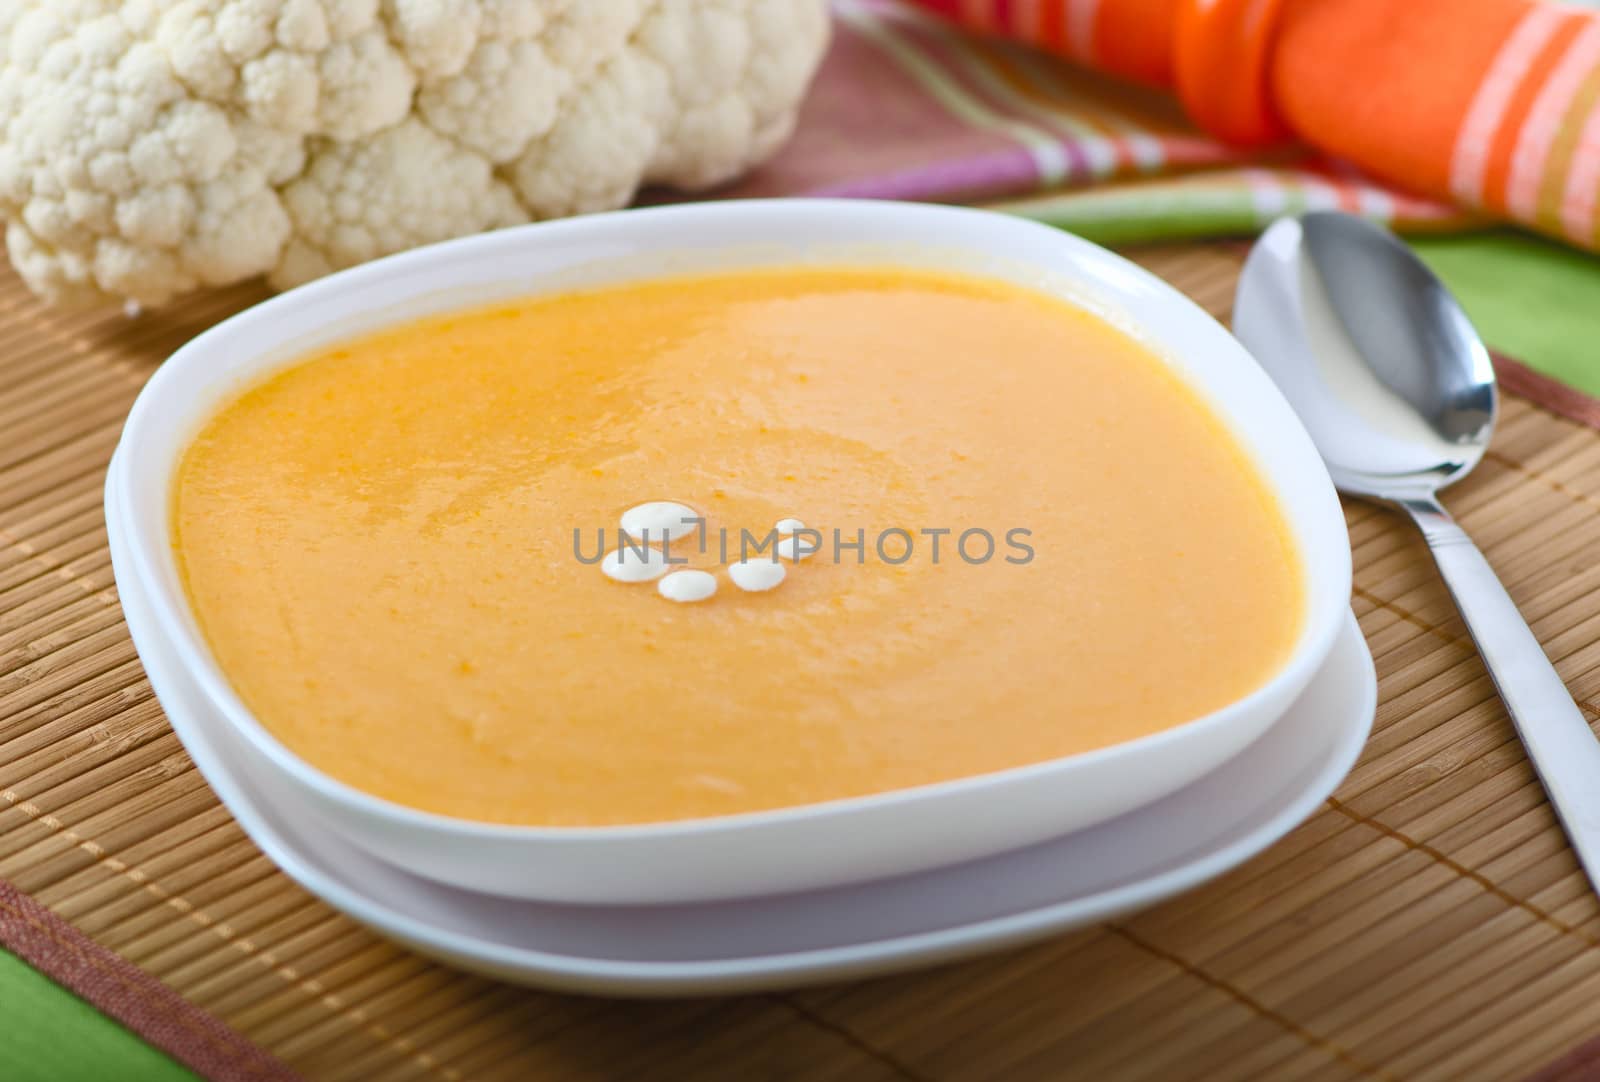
x: 766, y: 852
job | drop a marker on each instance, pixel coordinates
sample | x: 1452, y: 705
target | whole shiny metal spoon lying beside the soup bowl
x: 1398, y: 391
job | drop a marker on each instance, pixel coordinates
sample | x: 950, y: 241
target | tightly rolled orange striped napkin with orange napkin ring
x: 1490, y: 105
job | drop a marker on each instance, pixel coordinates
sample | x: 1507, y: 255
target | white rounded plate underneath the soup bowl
x: 846, y: 932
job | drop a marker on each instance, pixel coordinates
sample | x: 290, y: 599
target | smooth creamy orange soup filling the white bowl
x: 380, y: 547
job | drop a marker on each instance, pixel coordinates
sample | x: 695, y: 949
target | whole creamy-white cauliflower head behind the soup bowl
x: 150, y: 148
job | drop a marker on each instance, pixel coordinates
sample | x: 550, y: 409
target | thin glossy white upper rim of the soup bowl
x: 1316, y: 641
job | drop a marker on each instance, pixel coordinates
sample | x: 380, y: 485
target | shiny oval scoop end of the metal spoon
x: 1372, y: 350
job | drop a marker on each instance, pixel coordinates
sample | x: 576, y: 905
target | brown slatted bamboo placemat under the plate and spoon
x: 1426, y: 924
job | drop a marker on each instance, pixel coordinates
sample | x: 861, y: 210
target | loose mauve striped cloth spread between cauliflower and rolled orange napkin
x: 913, y: 106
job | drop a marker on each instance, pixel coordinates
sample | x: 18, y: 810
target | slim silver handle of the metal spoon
x: 1564, y: 750
